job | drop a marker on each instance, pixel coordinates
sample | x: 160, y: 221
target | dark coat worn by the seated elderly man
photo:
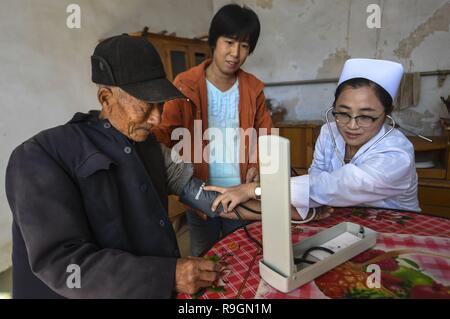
x: 80, y: 194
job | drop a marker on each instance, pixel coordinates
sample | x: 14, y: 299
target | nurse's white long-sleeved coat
x: 383, y: 176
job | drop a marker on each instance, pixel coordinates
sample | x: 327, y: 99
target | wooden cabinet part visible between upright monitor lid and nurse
x: 302, y: 135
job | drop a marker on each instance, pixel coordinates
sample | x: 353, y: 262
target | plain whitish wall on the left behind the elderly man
x: 45, y: 67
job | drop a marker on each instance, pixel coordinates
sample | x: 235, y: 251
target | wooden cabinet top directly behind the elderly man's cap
x: 177, y: 54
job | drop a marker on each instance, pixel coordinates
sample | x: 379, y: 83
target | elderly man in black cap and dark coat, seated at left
x: 89, y: 198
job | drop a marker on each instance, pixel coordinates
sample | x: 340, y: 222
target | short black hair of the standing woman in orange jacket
x: 235, y: 22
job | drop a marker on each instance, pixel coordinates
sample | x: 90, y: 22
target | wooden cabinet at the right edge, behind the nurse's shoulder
x: 434, y: 182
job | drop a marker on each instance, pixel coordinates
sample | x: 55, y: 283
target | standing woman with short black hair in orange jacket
x: 221, y: 98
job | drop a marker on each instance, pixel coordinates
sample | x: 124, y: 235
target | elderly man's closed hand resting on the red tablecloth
x: 193, y: 273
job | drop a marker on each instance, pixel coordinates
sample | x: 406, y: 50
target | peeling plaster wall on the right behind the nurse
x: 311, y: 39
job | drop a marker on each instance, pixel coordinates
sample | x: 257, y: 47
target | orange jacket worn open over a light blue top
x: 182, y: 113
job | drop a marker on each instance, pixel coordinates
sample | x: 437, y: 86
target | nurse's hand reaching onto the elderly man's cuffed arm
x: 233, y: 196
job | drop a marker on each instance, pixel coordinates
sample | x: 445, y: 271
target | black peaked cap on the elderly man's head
x: 134, y: 65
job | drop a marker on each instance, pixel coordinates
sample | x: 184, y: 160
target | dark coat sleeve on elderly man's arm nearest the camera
x: 48, y: 209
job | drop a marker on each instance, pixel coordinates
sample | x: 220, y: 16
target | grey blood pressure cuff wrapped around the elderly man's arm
x: 196, y: 197
